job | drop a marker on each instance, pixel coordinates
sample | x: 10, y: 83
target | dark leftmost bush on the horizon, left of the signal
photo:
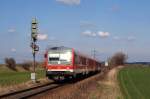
x: 11, y: 63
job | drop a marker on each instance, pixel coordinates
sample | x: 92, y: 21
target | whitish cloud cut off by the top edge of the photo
x: 69, y: 2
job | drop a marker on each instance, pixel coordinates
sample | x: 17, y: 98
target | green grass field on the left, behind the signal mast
x: 9, y: 77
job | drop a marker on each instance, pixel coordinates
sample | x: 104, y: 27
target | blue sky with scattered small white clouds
x: 108, y: 26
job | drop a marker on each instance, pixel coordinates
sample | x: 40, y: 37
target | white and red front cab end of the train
x: 59, y: 63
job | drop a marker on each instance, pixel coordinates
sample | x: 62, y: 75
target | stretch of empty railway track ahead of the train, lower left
x: 26, y: 93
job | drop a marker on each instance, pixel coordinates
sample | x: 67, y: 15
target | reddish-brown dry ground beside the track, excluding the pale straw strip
x: 79, y: 90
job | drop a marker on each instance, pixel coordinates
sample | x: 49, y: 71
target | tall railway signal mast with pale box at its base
x: 34, y: 46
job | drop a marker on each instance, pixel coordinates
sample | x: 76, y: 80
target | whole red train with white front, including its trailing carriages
x: 62, y: 62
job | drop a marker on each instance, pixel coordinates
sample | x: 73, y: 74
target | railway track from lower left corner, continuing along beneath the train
x: 37, y: 90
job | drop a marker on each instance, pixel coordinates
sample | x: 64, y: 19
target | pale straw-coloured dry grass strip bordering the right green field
x: 110, y: 86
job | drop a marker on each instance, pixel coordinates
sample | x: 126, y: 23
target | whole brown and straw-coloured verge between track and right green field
x: 100, y: 86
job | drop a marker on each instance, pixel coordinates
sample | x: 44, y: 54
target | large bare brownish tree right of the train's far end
x: 117, y: 59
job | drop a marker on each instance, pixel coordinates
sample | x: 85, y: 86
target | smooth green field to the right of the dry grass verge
x: 135, y: 82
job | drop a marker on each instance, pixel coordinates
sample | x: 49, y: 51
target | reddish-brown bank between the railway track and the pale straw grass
x: 71, y: 90
